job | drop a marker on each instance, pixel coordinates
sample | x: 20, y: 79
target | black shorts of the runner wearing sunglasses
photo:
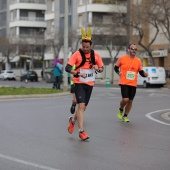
x: 128, y: 91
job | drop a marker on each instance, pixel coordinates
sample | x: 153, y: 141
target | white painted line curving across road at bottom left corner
x: 26, y: 163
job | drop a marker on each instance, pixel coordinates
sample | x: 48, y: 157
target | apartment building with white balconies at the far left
x: 24, y: 25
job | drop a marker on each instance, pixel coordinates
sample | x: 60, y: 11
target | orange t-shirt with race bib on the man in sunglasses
x: 129, y: 67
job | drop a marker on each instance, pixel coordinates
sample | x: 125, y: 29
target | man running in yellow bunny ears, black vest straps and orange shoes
x: 84, y: 78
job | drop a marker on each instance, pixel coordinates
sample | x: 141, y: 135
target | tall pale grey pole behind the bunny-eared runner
x: 65, y: 83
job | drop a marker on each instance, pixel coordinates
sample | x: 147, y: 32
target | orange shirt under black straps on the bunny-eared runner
x: 76, y: 59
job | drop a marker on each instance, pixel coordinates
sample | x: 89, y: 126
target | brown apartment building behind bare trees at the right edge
x: 160, y: 46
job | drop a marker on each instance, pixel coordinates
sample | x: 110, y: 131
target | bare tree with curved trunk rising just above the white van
x: 143, y: 22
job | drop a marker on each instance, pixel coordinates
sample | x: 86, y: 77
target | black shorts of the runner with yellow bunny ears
x: 83, y: 93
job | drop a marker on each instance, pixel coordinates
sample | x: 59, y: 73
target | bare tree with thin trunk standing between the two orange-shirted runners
x: 112, y: 36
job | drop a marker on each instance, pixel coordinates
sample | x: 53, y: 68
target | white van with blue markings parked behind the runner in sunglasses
x: 156, y: 76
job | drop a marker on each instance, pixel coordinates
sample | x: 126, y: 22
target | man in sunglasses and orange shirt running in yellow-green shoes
x: 129, y: 65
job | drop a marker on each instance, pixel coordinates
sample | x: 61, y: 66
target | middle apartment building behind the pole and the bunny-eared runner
x: 96, y: 14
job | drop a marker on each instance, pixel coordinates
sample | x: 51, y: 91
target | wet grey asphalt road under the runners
x: 34, y: 133
